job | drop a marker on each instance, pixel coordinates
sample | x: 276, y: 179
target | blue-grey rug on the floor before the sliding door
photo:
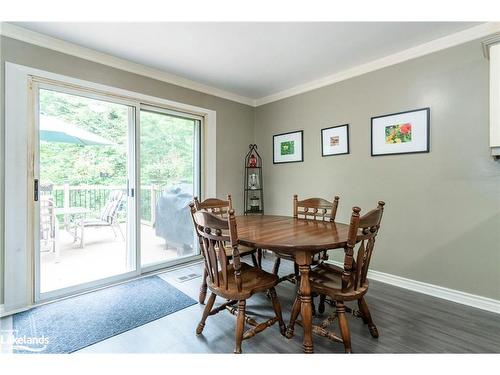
x: 72, y: 324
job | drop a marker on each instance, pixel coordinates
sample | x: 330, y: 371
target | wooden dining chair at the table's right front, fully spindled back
x: 347, y: 283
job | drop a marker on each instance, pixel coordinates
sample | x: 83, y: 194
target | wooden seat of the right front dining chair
x: 327, y: 279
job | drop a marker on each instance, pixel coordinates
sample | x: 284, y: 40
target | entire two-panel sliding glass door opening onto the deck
x: 113, y: 179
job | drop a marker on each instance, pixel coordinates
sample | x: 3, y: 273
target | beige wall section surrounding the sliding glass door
x: 234, y: 121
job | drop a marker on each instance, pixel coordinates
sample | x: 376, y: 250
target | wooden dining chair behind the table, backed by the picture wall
x: 309, y: 209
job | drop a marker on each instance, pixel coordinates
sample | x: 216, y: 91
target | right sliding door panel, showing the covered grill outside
x: 170, y: 178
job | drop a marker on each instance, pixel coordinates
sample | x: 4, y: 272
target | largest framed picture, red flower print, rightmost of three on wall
x: 401, y: 133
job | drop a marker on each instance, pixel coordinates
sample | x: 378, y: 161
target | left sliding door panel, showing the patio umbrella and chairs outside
x: 84, y: 164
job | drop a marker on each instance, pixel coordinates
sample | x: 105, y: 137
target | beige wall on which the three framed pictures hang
x: 442, y: 219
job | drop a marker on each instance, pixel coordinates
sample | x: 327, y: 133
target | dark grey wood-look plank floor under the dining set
x: 408, y: 322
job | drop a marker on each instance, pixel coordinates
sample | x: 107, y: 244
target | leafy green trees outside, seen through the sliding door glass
x: 166, y: 144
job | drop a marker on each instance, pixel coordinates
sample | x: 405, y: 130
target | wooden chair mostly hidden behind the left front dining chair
x: 221, y: 209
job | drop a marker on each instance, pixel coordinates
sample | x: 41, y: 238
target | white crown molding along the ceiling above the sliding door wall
x: 32, y: 37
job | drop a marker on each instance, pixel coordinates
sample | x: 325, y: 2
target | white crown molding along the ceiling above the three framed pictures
x: 448, y: 41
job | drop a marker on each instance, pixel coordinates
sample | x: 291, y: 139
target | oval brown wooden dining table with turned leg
x: 298, y: 237
